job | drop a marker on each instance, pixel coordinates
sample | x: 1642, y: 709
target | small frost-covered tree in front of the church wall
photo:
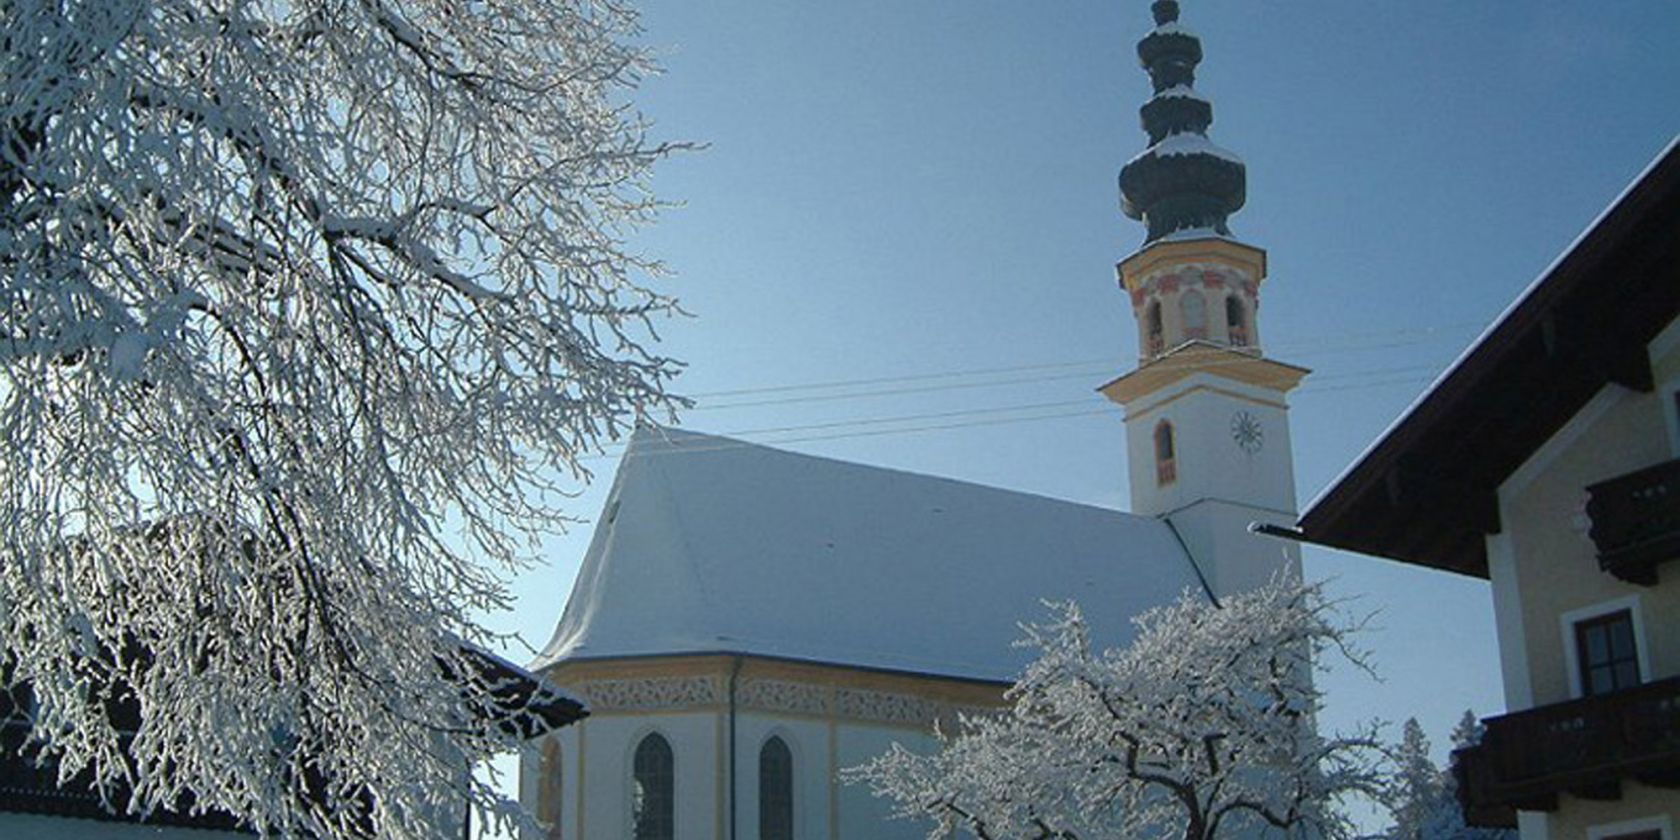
x: 1204, y: 728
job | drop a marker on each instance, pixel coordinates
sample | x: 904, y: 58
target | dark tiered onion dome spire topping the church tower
x: 1182, y: 182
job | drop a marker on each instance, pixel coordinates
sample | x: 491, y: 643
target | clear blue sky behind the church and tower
x: 923, y: 196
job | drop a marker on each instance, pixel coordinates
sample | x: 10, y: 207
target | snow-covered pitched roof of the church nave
x: 711, y: 545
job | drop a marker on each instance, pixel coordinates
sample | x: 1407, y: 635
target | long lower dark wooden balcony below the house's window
x: 1585, y: 748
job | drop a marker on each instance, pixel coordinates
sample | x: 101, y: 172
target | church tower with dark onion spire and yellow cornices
x: 1207, y: 419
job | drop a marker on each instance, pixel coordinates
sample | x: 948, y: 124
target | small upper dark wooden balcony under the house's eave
x: 1637, y: 522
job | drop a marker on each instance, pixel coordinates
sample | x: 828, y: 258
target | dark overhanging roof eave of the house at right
x: 1425, y: 491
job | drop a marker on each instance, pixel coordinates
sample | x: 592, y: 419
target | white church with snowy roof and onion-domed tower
x: 748, y: 622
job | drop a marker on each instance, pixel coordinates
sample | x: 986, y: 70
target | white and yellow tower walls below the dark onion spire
x: 1231, y: 461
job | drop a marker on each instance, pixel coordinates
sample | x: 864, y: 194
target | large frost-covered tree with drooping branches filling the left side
x: 308, y: 310
